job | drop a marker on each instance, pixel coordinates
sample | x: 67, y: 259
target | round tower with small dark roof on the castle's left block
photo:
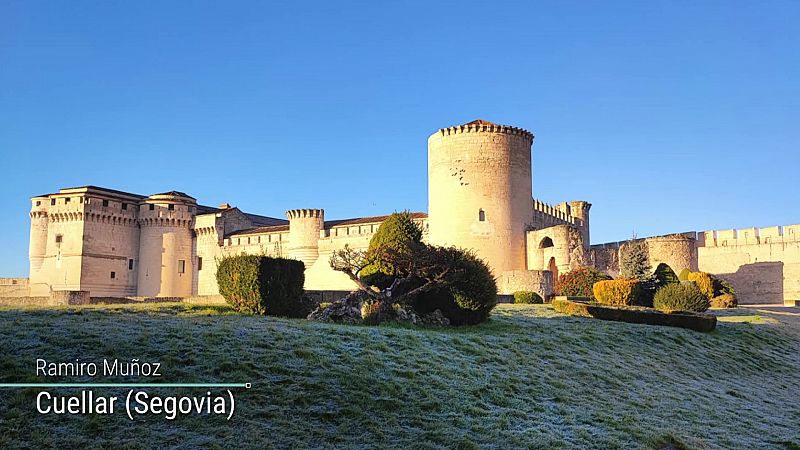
x: 165, y: 245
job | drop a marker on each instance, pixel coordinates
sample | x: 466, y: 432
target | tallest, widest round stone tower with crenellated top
x: 479, y: 191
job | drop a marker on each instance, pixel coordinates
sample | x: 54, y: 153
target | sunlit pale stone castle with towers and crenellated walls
x: 119, y: 244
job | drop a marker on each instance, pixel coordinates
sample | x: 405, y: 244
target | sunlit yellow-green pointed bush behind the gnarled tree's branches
x: 397, y: 233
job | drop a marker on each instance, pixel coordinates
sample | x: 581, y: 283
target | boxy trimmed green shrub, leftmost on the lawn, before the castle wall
x: 262, y: 285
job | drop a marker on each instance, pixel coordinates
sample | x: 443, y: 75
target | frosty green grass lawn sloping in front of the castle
x: 529, y: 378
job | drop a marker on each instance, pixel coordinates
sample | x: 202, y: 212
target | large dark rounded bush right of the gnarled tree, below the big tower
x: 471, y: 295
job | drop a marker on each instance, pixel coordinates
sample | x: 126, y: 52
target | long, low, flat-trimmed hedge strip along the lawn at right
x: 692, y: 321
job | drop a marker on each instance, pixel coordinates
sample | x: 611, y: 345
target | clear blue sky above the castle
x: 667, y: 116
